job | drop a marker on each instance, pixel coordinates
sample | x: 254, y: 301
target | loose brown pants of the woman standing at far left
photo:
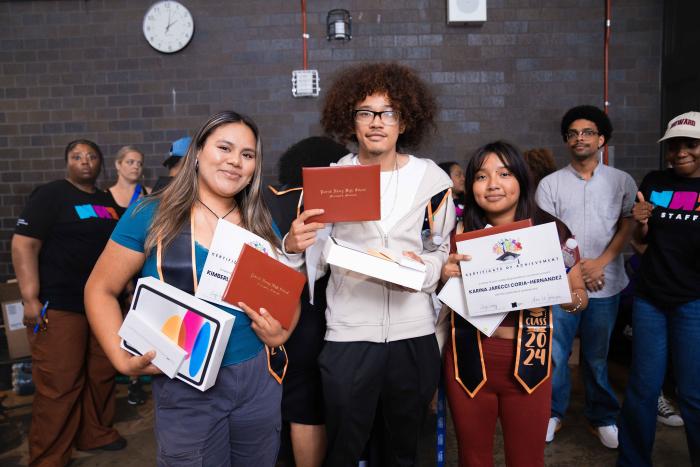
x: 75, y: 391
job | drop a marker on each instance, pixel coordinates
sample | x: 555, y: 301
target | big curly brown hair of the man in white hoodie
x: 406, y: 91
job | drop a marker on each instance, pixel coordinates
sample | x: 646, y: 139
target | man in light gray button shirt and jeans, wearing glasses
x: 595, y: 202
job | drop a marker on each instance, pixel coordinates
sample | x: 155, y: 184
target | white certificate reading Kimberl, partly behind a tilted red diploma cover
x: 226, y: 246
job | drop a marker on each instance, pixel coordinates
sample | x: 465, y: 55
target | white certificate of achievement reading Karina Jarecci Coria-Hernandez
x: 514, y: 270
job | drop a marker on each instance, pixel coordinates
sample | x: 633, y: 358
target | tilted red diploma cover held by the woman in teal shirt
x: 260, y: 281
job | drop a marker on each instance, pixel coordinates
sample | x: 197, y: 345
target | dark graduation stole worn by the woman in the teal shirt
x: 177, y: 266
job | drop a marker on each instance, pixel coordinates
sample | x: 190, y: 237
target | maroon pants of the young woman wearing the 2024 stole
x: 523, y: 416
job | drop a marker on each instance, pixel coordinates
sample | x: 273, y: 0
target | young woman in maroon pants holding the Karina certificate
x: 480, y: 371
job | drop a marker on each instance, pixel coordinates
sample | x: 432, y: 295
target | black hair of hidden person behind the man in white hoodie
x: 315, y: 151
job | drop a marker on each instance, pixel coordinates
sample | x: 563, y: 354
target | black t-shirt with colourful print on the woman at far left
x: 74, y: 227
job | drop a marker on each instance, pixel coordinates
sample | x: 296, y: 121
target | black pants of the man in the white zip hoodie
x: 357, y: 375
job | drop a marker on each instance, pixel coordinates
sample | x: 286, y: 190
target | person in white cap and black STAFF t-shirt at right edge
x: 666, y: 313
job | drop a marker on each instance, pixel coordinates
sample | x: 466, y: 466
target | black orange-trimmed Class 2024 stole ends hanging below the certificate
x: 533, y: 360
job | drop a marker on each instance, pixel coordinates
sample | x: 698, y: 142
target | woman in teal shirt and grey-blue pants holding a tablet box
x: 167, y: 236
